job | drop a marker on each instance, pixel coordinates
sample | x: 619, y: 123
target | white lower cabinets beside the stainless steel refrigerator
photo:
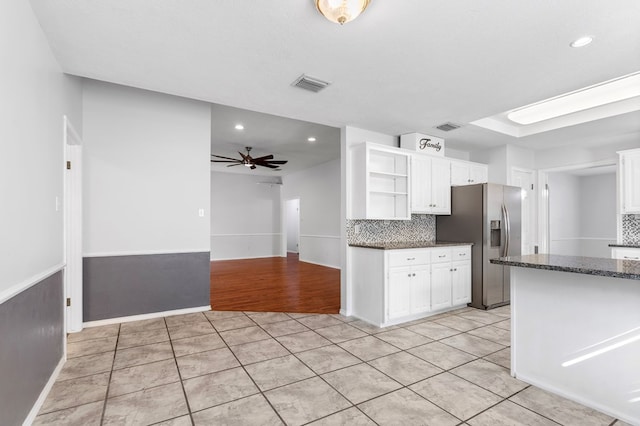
x: 394, y: 286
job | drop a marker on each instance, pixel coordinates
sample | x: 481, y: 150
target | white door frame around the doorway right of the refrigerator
x: 543, y: 197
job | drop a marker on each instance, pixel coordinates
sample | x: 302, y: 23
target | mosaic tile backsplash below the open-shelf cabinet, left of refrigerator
x: 421, y: 227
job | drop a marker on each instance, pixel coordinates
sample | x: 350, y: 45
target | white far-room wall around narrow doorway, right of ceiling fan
x: 318, y: 189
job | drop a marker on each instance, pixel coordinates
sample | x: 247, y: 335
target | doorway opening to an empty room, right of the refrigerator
x: 578, y: 214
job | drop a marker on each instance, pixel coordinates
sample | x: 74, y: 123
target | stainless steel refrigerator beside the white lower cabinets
x: 489, y: 216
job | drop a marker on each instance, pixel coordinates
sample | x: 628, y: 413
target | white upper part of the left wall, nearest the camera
x: 35, y: 96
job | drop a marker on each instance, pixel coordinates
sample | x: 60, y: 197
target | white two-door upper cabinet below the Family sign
x: 430, y: 185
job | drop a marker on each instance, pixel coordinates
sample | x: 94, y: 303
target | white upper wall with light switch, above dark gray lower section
x: 146, y: 172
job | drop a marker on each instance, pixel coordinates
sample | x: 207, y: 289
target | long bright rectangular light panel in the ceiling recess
x: 598, y: 95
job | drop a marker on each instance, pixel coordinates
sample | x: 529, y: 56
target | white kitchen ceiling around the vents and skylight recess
x: 403, y: 66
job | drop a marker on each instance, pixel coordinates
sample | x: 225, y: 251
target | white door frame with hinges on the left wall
x: 72, y: 234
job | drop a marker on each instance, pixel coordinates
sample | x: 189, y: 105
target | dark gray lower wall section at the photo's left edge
x: 31, y: 330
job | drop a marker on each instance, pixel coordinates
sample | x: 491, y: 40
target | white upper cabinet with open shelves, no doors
x: 380, y: 182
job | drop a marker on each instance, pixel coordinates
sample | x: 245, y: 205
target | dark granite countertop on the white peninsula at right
x: 605, y: 267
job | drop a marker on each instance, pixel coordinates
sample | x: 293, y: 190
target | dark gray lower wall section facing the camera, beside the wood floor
x: 118, y: 286
